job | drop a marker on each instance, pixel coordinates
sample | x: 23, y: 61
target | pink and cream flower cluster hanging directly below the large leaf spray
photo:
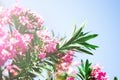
x: 65, y: 66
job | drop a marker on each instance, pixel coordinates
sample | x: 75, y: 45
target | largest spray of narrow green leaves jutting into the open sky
x: 80, y: 38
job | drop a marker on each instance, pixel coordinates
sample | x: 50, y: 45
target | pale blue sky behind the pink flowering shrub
x: 102, y: 17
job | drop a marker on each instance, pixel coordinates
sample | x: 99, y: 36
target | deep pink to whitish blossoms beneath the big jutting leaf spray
x: 65, y: 65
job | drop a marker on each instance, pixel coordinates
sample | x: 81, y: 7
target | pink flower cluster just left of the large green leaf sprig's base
x: 49, y: 46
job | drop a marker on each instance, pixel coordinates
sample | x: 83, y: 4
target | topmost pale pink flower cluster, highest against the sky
x: 25, y: 17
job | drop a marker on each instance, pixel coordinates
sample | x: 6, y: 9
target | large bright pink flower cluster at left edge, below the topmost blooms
x: 12, y: 44
